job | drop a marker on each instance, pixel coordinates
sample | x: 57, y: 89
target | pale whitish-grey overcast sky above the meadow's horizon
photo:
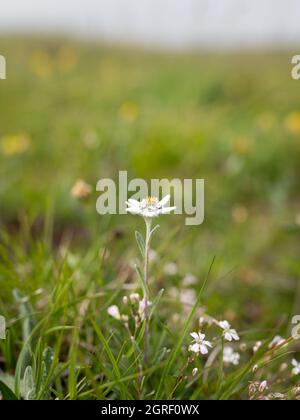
x: 170, y: 23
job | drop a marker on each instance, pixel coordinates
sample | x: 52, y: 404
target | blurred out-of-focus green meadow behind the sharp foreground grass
x: 74, y: 111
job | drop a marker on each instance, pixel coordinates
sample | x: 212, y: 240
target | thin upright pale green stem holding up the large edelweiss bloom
x: 146, y: 292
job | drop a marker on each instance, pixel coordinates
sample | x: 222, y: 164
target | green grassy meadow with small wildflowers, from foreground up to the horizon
x: 69, y: 288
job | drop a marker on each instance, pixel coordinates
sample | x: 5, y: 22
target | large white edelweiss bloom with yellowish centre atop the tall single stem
x: 149, y: 207
